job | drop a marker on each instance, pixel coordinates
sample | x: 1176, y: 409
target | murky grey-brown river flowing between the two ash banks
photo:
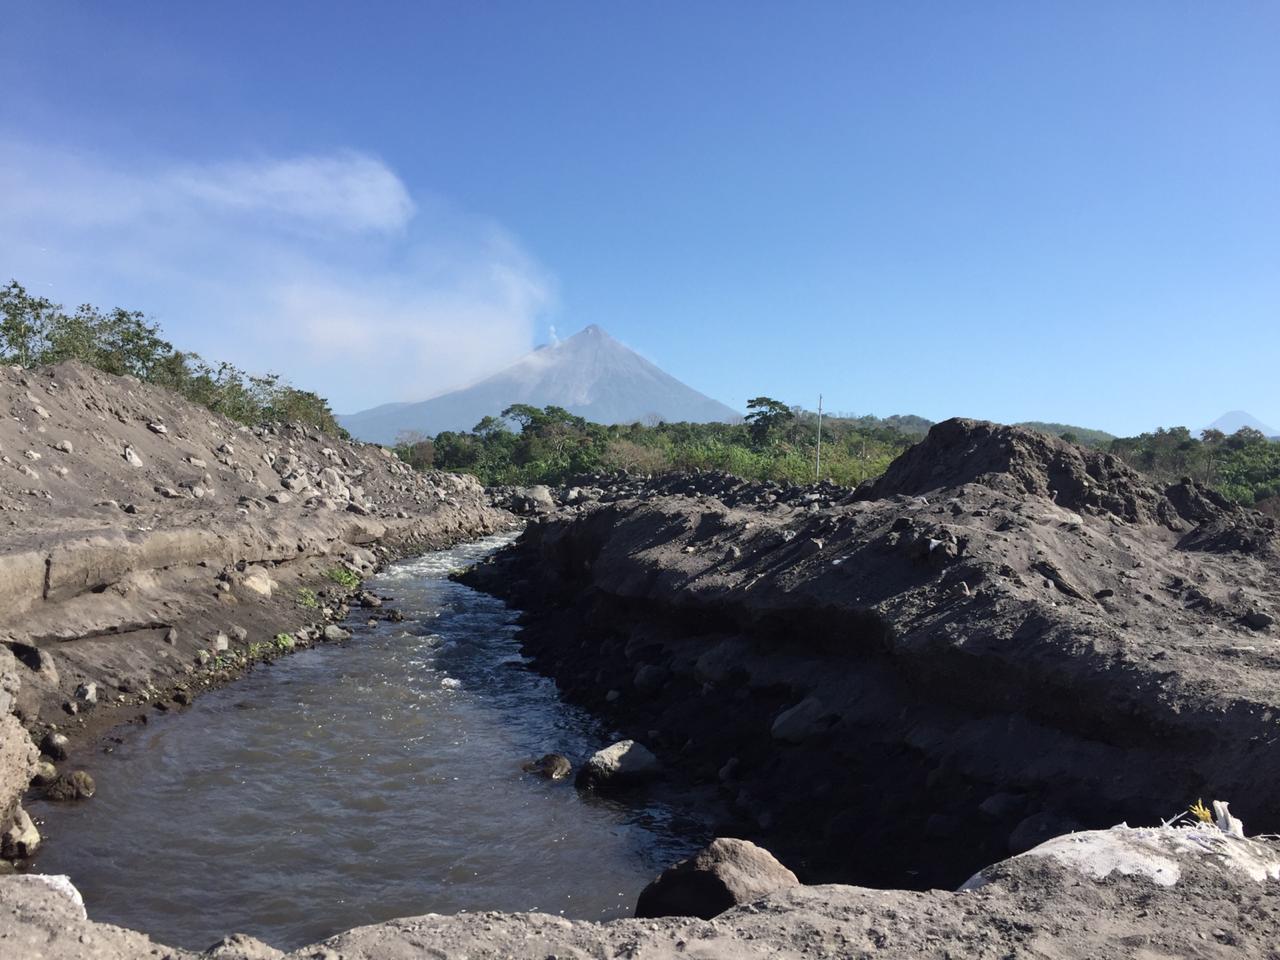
x: 349, y: 785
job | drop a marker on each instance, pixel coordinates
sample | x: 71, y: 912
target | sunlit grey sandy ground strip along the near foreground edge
x: 1150, y: 894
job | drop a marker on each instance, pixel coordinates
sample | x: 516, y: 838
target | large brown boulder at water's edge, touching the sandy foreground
x: 724, y: 875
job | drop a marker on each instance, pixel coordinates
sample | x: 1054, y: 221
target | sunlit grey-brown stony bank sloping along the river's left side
x: 150, y: 548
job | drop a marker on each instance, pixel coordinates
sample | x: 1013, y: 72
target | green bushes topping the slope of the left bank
x: 35, y: 331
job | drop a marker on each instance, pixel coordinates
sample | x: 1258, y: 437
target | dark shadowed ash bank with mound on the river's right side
x: 1003, y: 639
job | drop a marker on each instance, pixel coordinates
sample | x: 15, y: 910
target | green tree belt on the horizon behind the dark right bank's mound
x: 548, y: 446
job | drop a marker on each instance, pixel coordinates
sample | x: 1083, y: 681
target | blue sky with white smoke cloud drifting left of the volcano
x: 1013, y: 211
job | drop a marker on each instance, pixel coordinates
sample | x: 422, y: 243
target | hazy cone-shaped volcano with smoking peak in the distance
x: 591, y: 374
